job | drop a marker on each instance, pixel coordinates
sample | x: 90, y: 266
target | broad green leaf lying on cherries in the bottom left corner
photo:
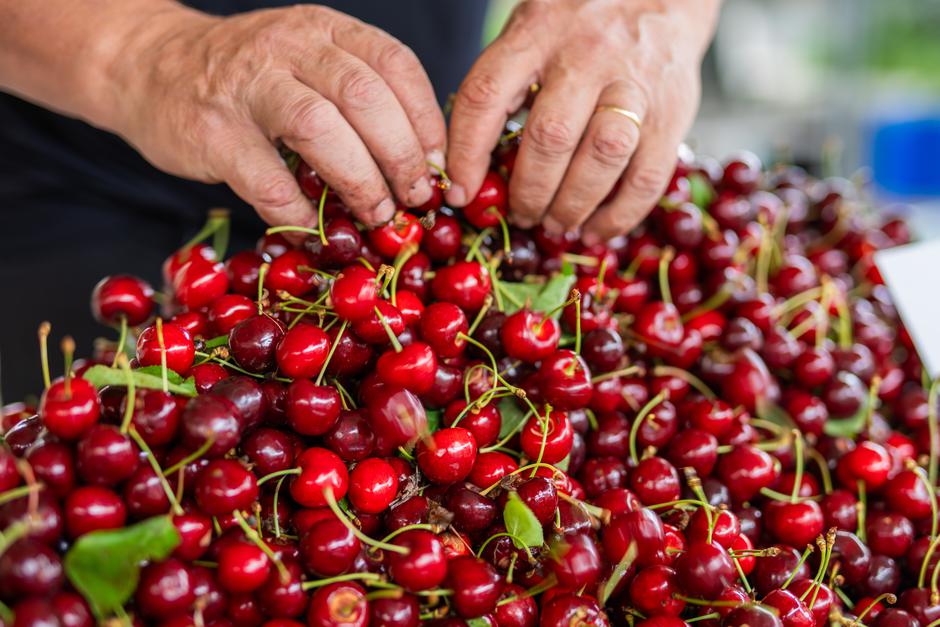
x: 105, y: 565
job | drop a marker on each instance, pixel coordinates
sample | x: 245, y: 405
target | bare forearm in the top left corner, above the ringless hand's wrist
x: 70, y: 55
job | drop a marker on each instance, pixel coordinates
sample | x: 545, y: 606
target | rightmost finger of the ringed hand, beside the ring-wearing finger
x: 644, y: 182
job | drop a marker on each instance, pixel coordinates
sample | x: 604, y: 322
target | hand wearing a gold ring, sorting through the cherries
x: 595, y: 61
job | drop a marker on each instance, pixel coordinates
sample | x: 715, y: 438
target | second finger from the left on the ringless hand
x: 313, y: 127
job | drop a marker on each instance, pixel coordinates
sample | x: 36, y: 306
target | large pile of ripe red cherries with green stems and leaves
x: 716, y: 419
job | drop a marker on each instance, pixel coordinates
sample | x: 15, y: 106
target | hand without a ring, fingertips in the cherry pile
x: 207, y: 98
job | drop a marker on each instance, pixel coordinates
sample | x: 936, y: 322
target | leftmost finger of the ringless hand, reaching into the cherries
x: 255, y: 171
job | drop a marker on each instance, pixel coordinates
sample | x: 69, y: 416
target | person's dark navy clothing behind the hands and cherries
x: 79, y: 203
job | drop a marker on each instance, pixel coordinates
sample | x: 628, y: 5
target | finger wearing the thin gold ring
x: 600, y: 159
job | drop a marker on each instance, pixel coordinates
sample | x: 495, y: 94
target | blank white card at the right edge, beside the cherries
x: 911, y: 274
